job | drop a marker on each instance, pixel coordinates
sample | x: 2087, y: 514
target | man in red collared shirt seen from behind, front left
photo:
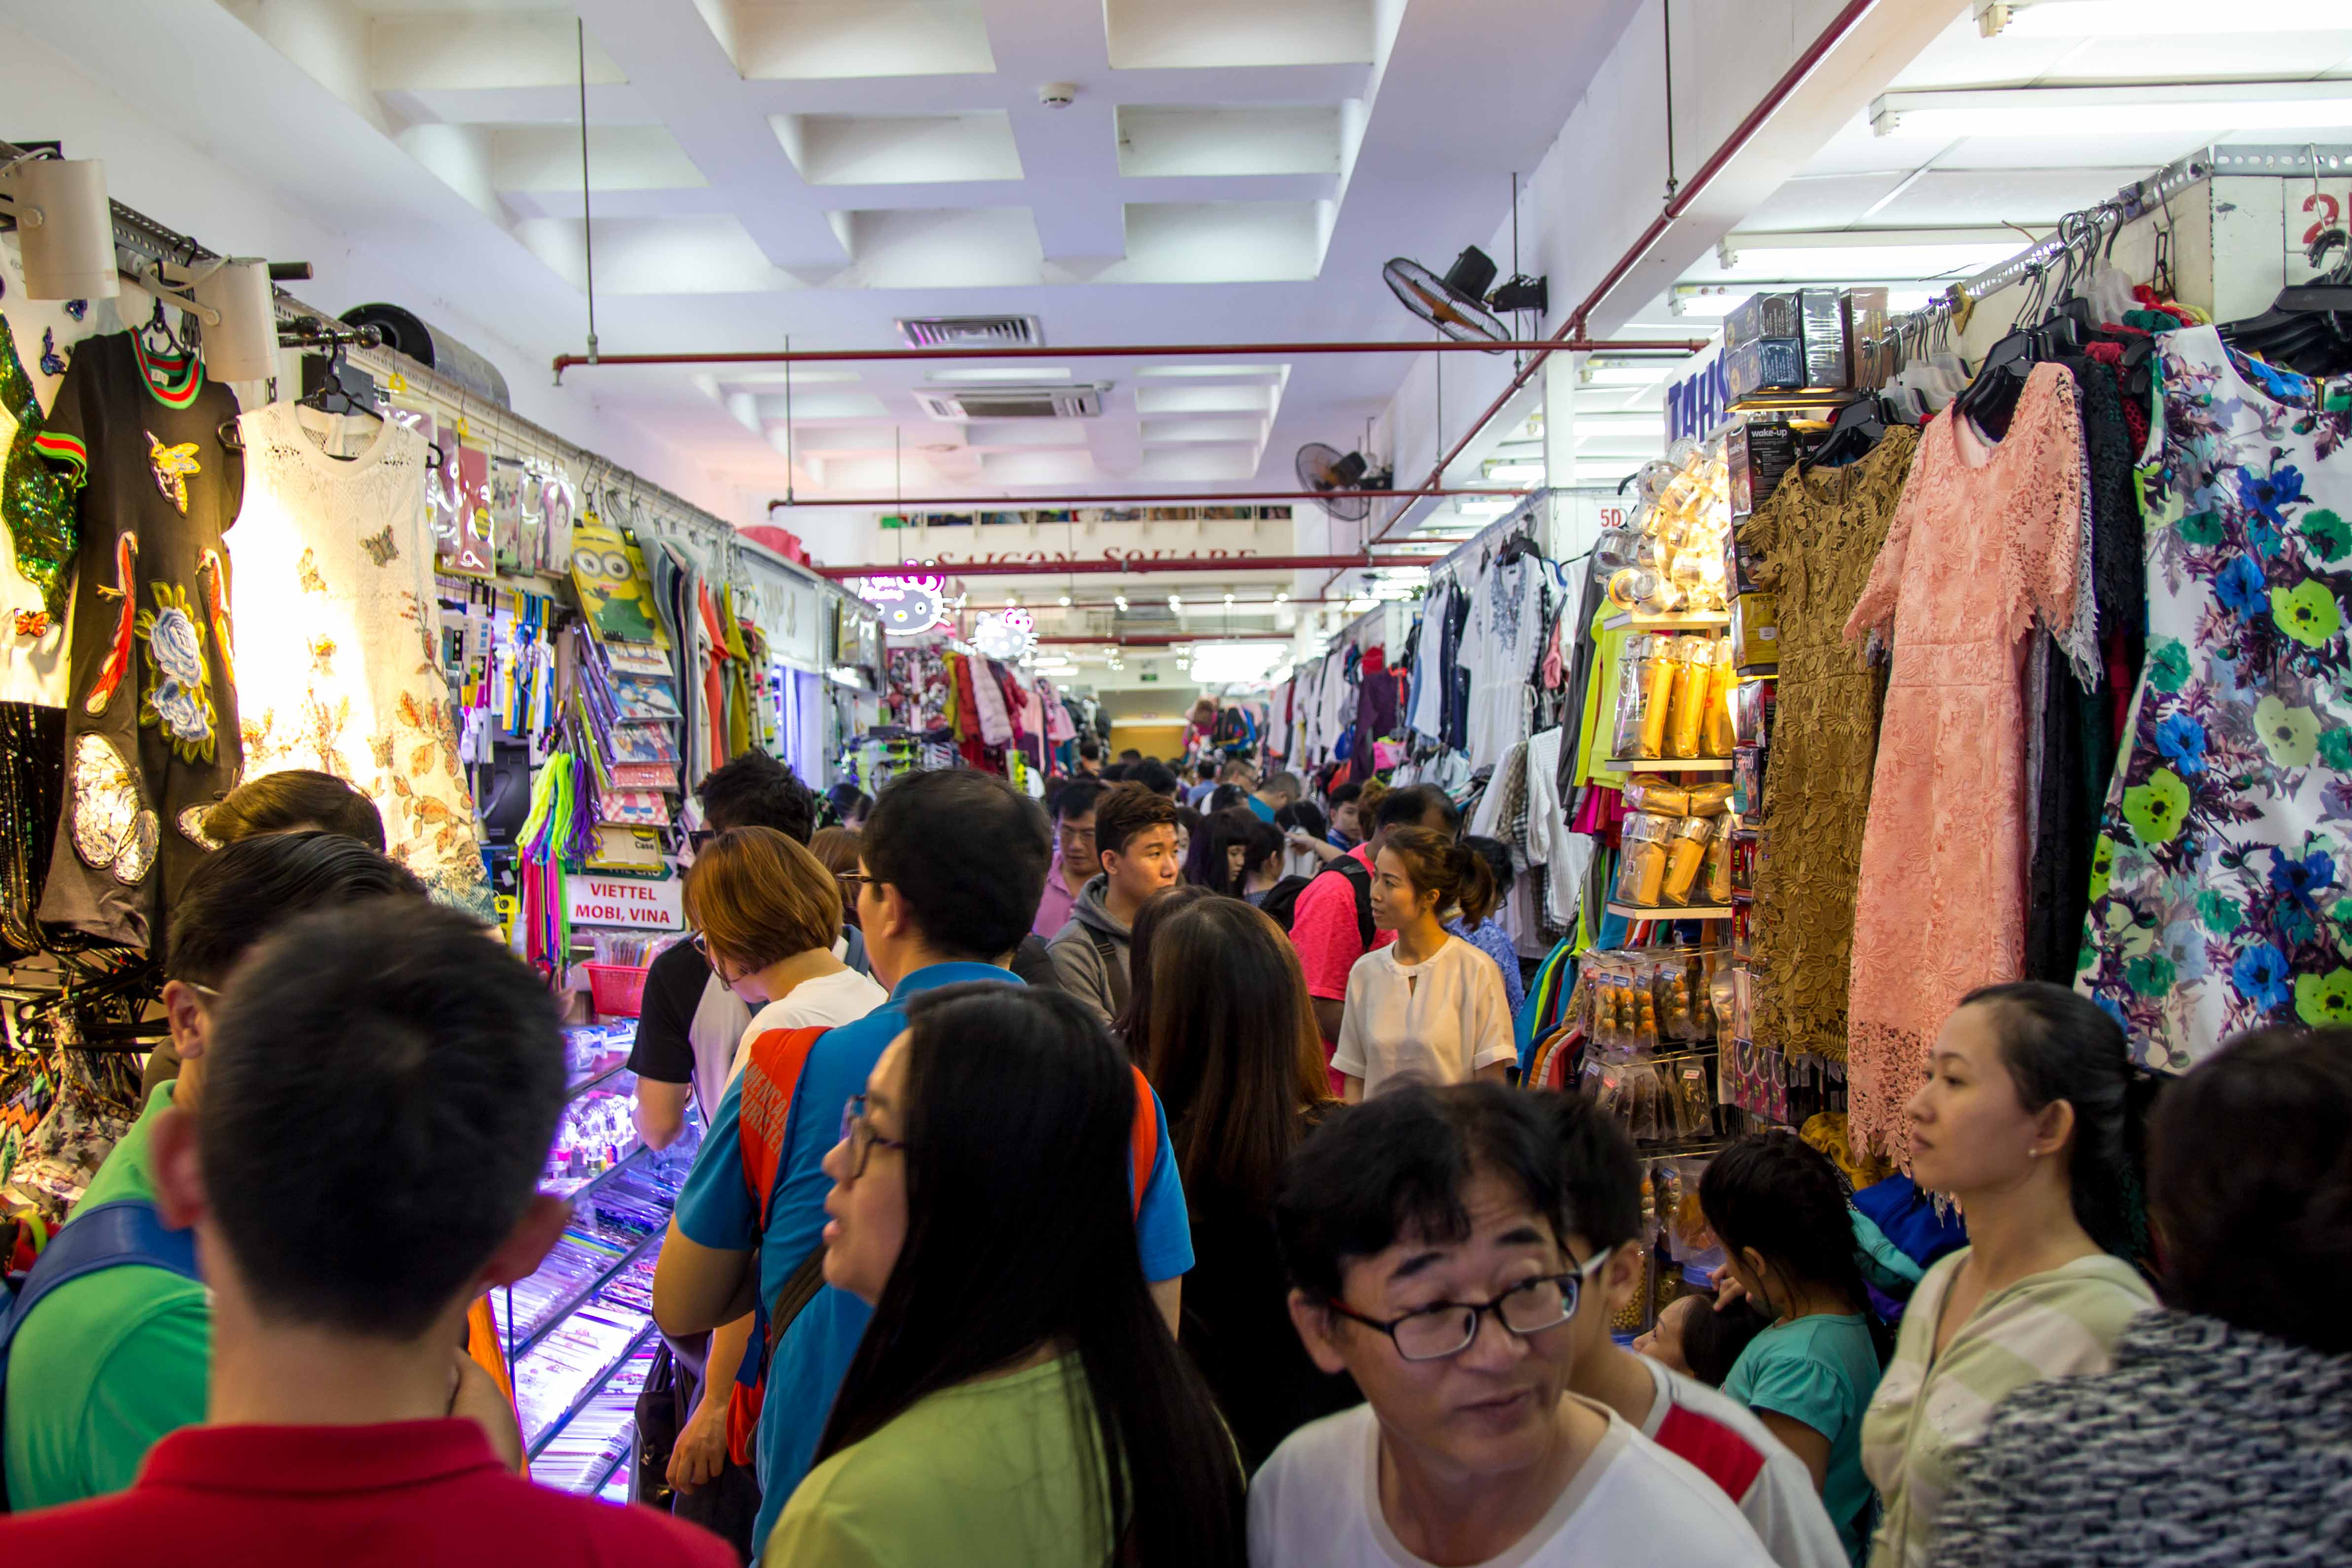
x: 380, y: 1097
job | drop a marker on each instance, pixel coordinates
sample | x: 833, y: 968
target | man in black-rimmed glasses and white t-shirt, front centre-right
x: 1431, y: 1254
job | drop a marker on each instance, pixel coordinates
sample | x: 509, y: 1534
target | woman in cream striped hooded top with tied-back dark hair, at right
x: 2031, y: 1120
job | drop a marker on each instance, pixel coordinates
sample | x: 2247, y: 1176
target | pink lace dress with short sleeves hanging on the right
x: 1984, y: 540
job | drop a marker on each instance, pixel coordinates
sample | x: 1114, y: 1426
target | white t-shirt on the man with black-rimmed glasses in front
x: 1318, y: 1506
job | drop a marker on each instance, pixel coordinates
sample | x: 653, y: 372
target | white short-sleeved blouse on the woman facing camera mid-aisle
x: 1443, y: 1019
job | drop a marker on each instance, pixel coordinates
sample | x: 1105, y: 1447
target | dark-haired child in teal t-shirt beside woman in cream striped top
x: 1779, y: 1212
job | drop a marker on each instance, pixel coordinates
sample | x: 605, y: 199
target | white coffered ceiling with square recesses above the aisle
x: 1229, y: 170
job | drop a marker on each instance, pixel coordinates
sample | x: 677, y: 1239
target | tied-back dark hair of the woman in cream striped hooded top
x: 2064, y: 1047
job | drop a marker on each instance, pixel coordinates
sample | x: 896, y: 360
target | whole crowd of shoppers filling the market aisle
x: 1109, y: 1268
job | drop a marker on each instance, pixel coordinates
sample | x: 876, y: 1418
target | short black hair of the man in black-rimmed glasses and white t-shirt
x: 1398, y: 1165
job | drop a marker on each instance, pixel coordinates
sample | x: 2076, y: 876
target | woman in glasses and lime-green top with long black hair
x: 1017, y: 1398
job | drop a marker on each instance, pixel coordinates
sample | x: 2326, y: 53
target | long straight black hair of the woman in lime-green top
x: 1020, y: 1238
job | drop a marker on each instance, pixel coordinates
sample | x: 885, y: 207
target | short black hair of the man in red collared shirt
x: 380, y: 1101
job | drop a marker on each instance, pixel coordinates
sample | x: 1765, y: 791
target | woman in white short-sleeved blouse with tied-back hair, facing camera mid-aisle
x: 1426, y: 1005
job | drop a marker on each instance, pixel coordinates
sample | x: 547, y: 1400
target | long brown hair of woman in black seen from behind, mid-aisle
x: 1231, y: 1045
